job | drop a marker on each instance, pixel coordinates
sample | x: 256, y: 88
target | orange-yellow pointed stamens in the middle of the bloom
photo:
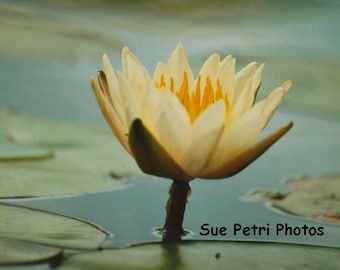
x: 196, y: 100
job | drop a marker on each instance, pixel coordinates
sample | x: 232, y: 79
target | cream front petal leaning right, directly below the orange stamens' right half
x: 205, y: 136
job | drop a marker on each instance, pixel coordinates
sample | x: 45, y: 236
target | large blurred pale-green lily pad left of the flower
x: 85, y: 158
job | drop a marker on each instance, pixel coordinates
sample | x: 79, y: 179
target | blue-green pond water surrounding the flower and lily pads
x: 49, y: 51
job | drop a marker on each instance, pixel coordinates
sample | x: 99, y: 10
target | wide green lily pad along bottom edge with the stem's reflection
x: 208, y: 255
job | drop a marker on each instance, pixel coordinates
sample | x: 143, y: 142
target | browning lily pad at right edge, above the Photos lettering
x: 312, y: 197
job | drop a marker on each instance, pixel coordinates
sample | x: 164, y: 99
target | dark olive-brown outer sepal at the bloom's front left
x: 151, y: 157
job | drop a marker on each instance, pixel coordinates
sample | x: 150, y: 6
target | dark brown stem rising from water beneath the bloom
x: 175, y: 208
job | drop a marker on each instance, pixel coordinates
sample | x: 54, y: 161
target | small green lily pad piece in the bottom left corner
x: 14, y: 252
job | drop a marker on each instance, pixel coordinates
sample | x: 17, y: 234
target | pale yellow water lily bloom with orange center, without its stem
x: 183, y: 127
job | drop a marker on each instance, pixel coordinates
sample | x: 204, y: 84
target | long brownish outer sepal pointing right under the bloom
x: 240, y: 162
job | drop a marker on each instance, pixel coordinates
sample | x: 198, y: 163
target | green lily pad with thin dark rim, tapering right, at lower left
x: 47, y: 228
